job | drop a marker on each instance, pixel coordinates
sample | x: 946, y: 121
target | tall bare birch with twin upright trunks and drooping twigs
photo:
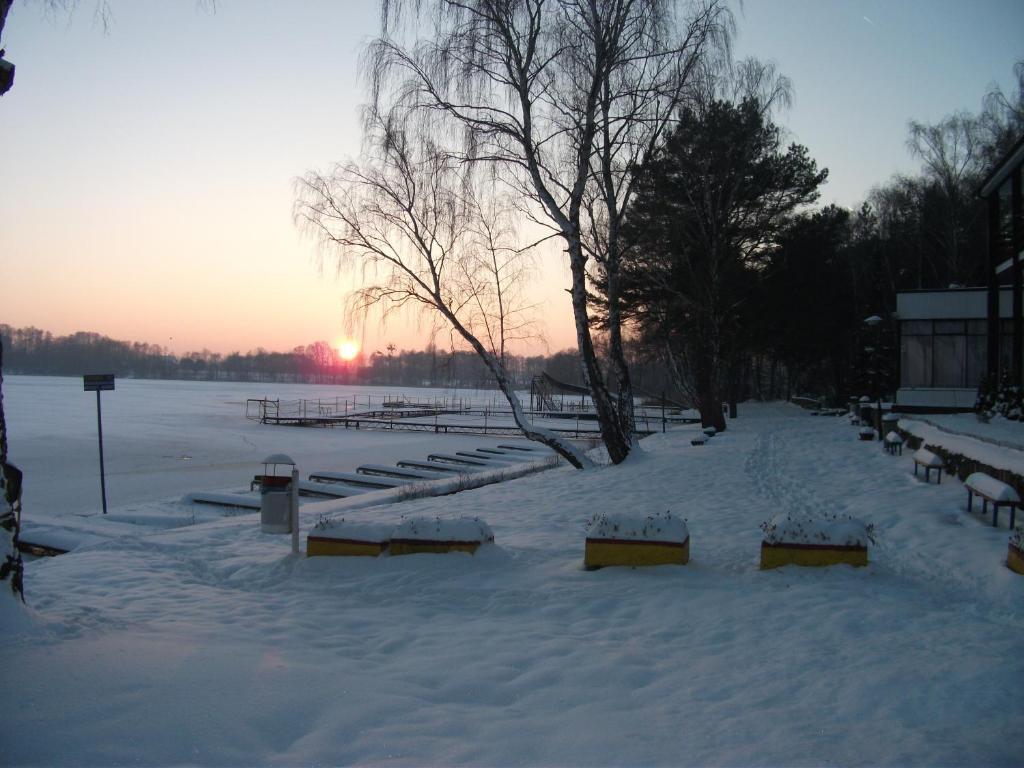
x: 563, y: 100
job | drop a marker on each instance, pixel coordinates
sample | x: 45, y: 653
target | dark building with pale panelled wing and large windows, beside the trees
x: 951, y: 339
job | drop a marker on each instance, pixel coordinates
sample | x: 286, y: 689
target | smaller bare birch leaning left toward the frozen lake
x: 424, y: 236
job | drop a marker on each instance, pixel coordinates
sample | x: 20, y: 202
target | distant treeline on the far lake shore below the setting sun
x: 33, y: 352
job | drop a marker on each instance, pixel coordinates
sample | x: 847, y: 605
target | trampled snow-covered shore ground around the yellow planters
x: 210, y: 645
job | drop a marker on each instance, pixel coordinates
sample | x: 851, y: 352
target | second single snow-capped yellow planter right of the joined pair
x: 829, y: 540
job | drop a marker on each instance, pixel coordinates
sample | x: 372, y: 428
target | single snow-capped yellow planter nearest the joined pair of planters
x: 632, y: 539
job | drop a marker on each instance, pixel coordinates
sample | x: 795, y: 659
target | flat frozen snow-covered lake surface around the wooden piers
x: 163, y: 440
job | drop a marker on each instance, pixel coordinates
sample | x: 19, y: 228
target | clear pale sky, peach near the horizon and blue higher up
x: 147, y: 173
